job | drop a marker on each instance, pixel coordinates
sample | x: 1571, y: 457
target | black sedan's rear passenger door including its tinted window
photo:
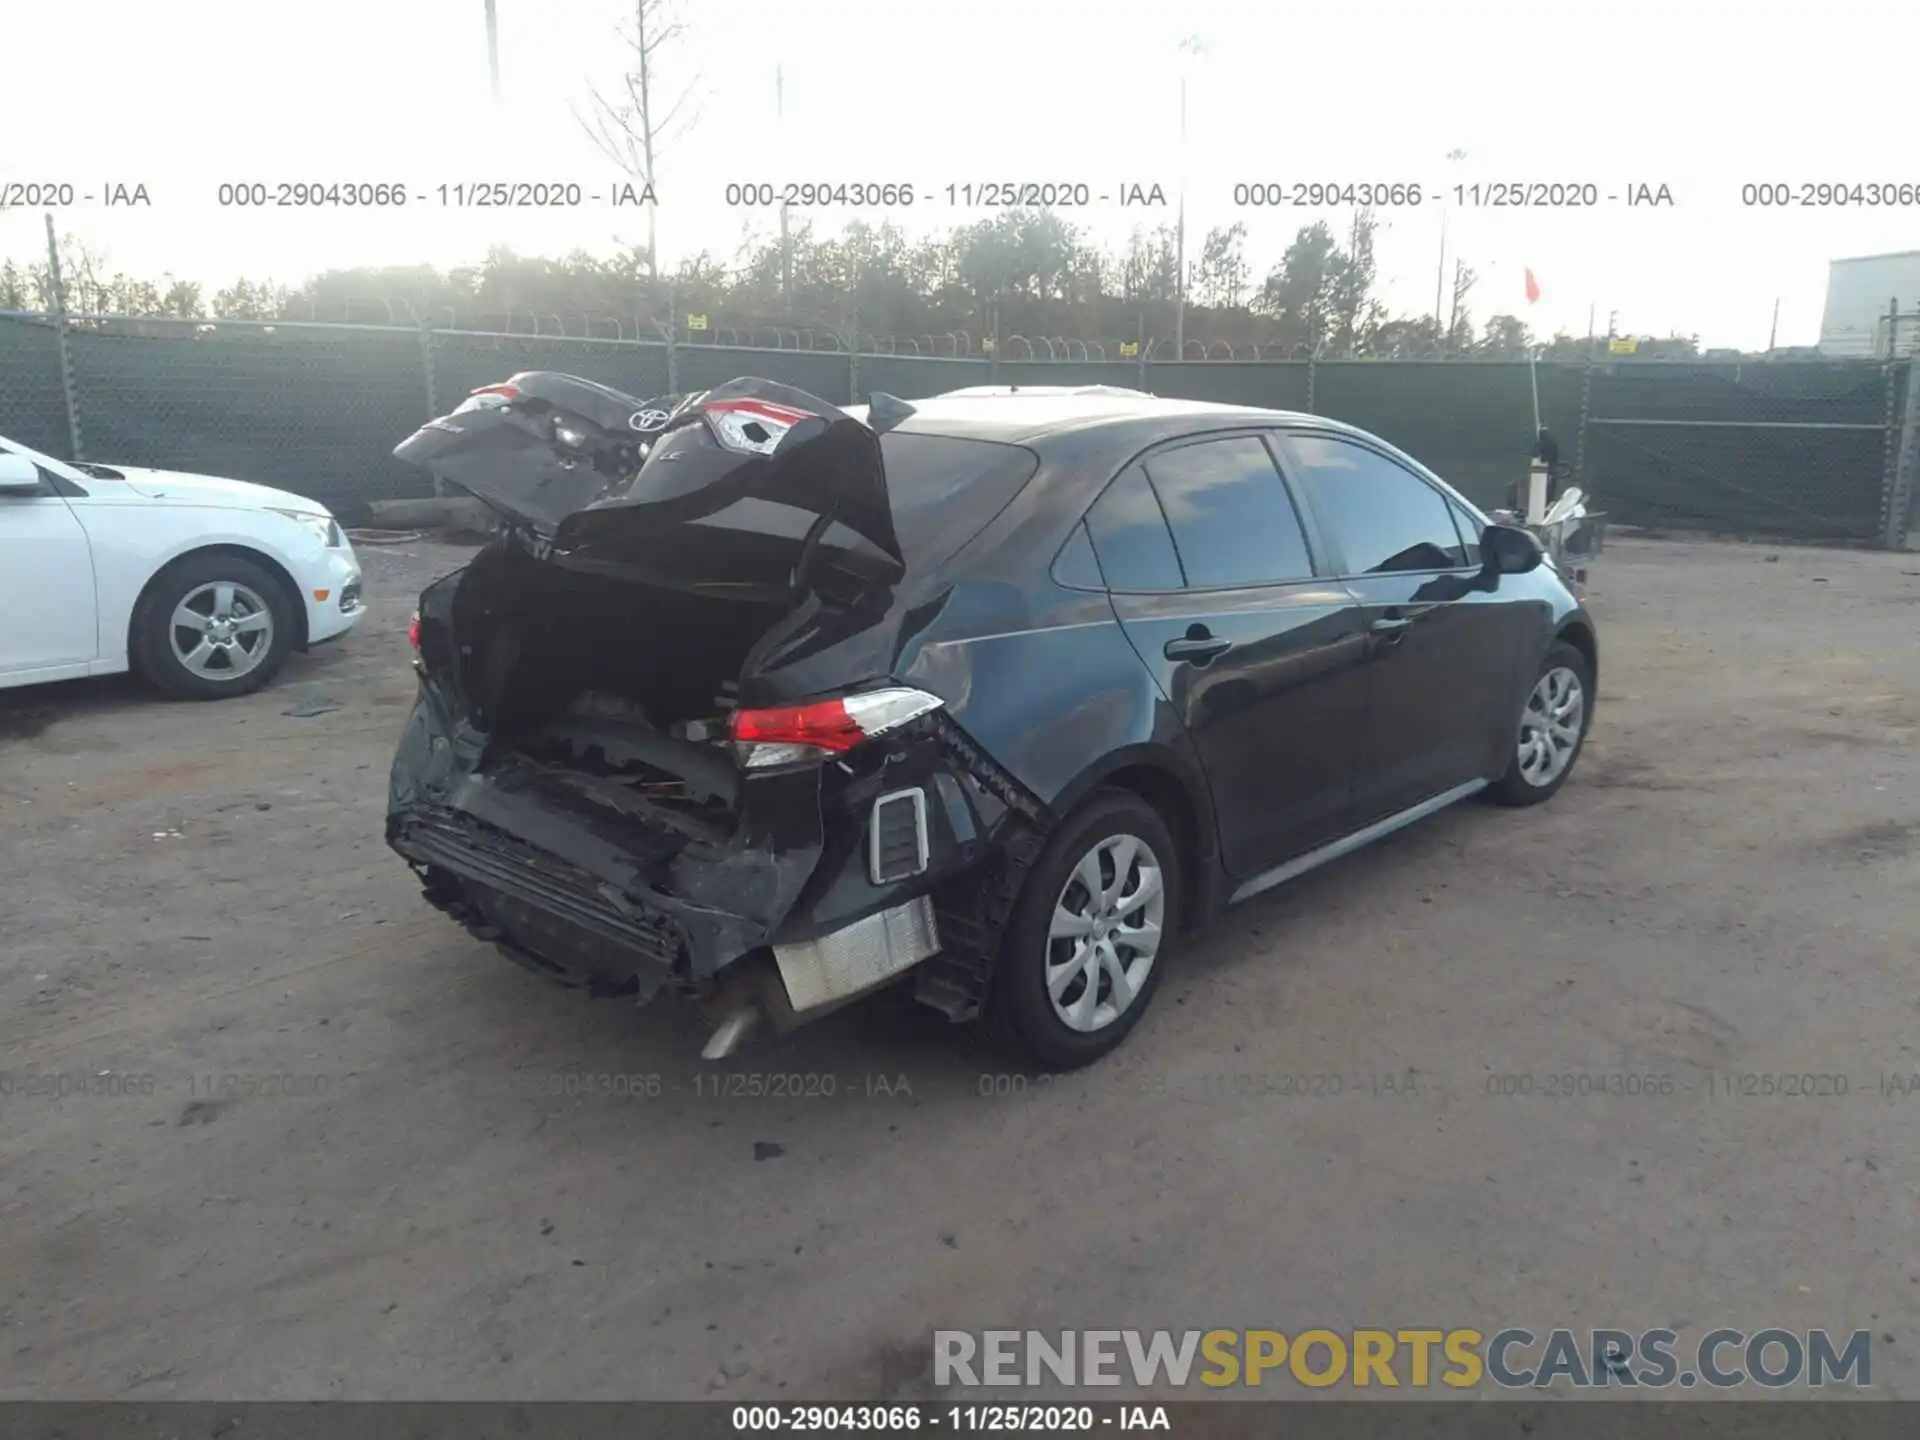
x: 1212, y: 577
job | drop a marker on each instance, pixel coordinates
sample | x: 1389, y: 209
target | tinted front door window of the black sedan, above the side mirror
x: 1383, y: 517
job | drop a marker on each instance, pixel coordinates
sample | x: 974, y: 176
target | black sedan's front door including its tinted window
x: 1443, y: 640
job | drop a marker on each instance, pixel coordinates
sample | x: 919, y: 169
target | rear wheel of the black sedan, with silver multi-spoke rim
x: 1092, y: 934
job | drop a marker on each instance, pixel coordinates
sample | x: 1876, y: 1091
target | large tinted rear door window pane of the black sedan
x: 1232, y: 517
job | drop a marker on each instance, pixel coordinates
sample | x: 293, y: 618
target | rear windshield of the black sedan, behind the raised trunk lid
x: 946, y: 491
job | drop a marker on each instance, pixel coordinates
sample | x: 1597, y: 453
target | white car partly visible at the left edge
x: 201, y: 585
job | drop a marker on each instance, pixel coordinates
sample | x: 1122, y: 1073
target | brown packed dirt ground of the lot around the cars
x: 318, y: 1143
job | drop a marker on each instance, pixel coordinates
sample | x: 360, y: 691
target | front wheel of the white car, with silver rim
x: 214, y: 627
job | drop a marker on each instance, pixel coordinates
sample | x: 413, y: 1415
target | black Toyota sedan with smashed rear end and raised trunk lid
x: 996, y: 696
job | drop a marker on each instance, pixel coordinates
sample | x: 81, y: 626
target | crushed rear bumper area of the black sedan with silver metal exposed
x: 828, y: 894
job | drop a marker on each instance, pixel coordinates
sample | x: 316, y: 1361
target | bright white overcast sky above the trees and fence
x: 1691, y: 95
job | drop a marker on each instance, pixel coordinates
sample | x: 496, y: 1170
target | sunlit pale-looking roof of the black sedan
x: 1026, y: 416
